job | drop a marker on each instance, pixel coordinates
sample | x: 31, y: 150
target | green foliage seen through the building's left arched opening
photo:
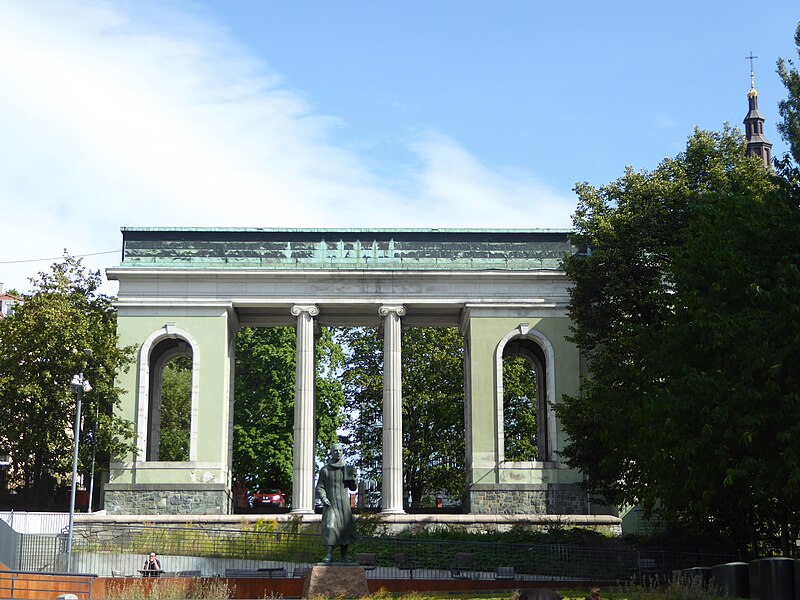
x: 176, y: 404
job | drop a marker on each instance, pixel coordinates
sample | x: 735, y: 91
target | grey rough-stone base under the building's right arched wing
x: 527, y: 499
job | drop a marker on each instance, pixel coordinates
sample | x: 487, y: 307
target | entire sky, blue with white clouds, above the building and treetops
x: 351, y: 114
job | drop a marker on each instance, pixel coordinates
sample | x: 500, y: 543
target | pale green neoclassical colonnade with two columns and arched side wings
x: 186, y: 292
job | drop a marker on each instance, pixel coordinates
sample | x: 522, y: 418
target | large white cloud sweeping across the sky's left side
x: 112, y: 115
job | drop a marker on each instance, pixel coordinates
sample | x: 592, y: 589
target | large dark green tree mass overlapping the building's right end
x: 683, y: 305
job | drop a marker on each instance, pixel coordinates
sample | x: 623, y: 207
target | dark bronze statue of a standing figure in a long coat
x: 335, y: 479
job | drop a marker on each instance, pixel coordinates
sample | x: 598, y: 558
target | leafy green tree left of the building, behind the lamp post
x: 41, y: 347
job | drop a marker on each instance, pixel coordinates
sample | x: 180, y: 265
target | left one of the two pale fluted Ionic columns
x: 303, y: 456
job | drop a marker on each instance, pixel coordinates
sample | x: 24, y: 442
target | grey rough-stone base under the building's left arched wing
x: 166, y: 499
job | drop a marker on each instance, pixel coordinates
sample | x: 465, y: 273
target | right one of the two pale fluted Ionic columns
x: 392, y: 500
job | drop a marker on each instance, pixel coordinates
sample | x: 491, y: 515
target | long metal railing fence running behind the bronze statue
x: 269, y: 550
